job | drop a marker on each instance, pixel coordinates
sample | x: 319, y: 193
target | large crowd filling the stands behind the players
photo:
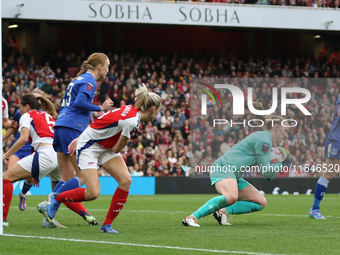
x: 165, y: 147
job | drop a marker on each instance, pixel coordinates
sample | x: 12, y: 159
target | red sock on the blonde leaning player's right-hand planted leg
x: 118, y: 200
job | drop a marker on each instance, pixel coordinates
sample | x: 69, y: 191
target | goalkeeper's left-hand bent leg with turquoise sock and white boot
x: 229, y: 194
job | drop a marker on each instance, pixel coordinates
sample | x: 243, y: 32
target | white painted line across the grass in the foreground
x: 140, y: 245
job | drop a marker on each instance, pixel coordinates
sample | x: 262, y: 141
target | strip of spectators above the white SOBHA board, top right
x: 310, y: 3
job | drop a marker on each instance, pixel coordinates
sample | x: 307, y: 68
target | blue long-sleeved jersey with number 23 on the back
x: 70, y: 115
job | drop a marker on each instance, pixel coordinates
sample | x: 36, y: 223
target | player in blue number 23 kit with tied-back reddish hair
x: 74, y: 117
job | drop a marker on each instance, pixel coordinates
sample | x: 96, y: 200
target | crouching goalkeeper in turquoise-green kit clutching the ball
x: 237, y: 195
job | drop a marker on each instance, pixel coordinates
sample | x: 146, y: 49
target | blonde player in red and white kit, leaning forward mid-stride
x: 100, y: 144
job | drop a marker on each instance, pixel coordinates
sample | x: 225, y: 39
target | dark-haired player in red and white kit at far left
x: 36, y: 126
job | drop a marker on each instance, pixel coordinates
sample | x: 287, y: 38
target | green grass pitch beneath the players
x: 155, y: 222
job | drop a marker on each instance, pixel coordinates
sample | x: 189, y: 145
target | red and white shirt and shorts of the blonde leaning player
x: 96, y: 142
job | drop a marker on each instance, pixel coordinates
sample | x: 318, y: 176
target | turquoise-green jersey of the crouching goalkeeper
x: 252, y: 150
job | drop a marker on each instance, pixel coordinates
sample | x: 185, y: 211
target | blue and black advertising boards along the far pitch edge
x: 182, y: 185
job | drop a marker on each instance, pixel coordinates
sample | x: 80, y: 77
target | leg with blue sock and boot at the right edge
x: 321, y: 187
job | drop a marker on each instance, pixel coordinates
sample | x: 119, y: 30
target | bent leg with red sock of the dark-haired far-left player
x: 15, y: 173
